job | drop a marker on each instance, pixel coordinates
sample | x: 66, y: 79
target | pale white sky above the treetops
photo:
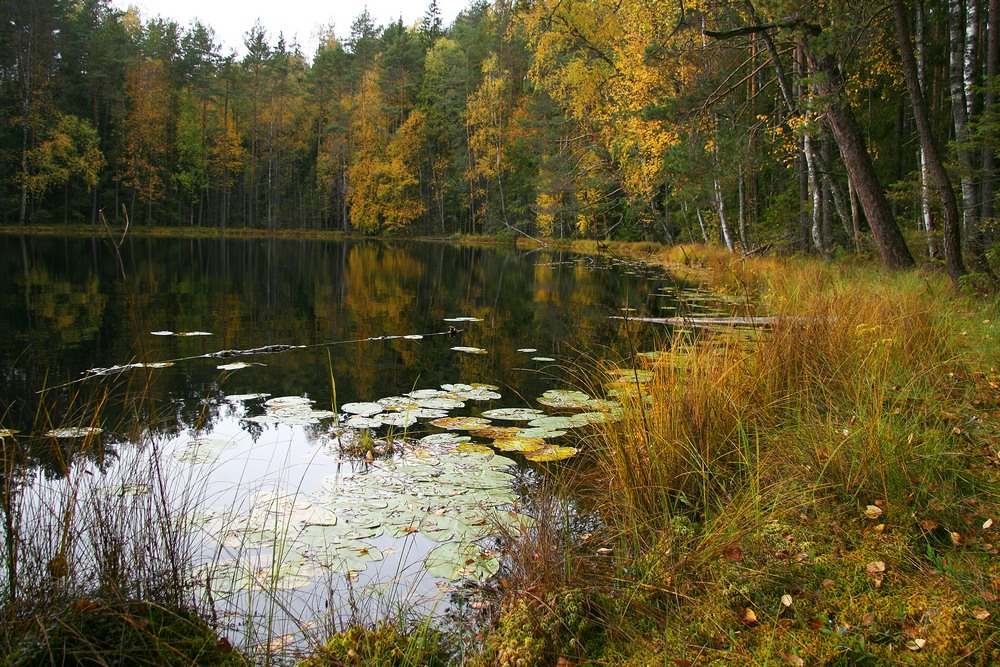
x: 298, y: 19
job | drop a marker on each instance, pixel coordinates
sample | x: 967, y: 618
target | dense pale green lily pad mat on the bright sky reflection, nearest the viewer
x: 452, y: 495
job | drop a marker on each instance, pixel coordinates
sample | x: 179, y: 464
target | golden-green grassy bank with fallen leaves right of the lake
x: 822, y: 492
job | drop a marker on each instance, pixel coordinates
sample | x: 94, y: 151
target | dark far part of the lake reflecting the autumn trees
x: 72, y: 304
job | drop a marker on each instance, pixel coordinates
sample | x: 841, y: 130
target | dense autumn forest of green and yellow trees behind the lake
x: 823, y: 126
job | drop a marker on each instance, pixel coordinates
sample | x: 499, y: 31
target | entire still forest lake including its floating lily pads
x: 260, y: 364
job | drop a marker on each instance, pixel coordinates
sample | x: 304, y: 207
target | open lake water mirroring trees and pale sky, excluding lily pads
x: 344, y: 311
